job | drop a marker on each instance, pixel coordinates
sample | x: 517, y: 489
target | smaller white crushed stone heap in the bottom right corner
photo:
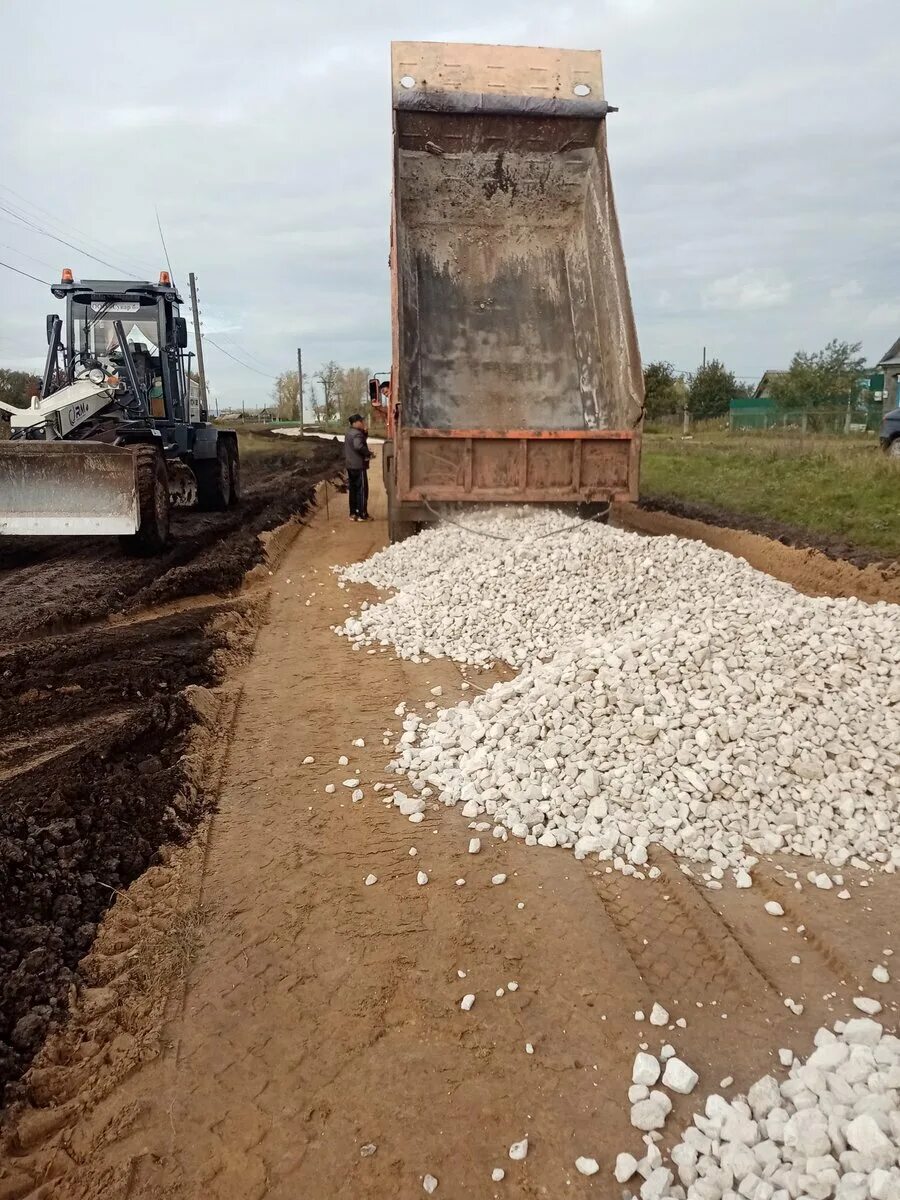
x: 832, y: 1129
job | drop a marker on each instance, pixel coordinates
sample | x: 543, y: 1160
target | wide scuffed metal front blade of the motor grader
x: 65, y: 489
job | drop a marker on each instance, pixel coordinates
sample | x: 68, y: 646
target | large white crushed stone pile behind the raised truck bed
x: 669, y: 693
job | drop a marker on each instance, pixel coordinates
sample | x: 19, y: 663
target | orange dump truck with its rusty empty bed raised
x: 517, y: 375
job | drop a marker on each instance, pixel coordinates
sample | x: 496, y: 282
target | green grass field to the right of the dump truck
x: 833, y: 485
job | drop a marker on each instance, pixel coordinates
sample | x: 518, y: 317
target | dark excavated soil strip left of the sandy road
x: 94, y: 725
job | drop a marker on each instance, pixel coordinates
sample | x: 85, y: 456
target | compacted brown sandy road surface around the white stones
x: 321, y: 1016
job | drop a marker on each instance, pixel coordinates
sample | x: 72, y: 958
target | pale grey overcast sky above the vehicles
x: 757, y: 163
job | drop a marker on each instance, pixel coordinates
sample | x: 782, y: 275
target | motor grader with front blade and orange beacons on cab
x: 119, y: 433
